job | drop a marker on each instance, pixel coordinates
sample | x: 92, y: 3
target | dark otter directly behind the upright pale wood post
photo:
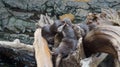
x: 49, y: 31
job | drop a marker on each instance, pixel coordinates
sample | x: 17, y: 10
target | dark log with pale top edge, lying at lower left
x: 17, y: 53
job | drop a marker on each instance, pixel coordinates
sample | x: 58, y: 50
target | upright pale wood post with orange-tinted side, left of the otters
x: 42, y: 52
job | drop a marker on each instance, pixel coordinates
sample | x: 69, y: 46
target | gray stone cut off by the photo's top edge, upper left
x: 26, y: 4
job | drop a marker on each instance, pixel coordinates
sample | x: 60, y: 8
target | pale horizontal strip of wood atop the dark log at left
x: 17, y: 45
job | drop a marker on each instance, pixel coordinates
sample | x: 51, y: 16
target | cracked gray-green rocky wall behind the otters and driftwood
x: 18, y: 17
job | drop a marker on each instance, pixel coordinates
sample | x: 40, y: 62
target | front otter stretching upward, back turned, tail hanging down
x: 68, y: 43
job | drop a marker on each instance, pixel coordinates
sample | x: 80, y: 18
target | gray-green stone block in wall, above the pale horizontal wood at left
x: 19, y: 26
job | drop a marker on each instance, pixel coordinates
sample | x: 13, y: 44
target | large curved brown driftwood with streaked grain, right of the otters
x: 105, y: 30
